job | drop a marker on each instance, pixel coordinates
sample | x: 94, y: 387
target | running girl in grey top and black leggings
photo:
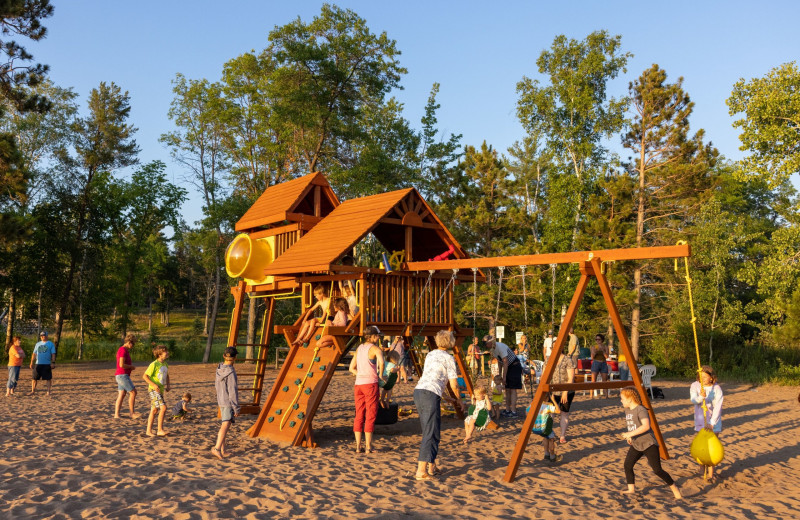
x: 641, y: 440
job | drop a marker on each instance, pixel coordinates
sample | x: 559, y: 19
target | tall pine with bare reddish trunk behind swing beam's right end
x: 672, y: 169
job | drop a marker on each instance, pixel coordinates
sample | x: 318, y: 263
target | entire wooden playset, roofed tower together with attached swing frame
x: 285, y: 251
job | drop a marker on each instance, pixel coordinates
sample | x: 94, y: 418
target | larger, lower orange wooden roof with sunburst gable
x: 386, y: 215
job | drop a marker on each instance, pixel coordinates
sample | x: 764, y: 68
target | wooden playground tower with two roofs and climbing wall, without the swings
x: 295, y: 236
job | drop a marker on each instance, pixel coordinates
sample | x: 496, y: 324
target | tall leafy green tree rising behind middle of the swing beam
x: 573, y: 112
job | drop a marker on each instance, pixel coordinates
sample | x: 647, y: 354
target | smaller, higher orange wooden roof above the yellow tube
x: 288, y: 201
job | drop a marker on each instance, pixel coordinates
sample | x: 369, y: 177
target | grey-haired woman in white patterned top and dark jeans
x: 439, y: 369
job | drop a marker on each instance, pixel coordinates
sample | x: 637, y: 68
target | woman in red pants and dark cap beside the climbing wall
x: 367, y: 366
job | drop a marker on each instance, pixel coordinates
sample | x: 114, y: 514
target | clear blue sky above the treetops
x: 477, y: 51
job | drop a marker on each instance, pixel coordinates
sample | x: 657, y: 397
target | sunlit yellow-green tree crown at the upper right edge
x: 771, y: 126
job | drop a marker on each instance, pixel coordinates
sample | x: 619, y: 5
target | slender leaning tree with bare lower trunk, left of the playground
x: 102, y: 142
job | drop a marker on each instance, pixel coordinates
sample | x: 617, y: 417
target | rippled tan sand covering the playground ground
x: 66, y: 457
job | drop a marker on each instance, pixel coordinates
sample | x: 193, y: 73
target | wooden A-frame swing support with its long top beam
x: 590, y: 263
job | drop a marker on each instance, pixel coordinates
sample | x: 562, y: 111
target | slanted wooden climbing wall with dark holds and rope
x: 297, y: 392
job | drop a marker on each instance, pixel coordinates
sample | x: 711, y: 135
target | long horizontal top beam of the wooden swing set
x: 606, y: 255
